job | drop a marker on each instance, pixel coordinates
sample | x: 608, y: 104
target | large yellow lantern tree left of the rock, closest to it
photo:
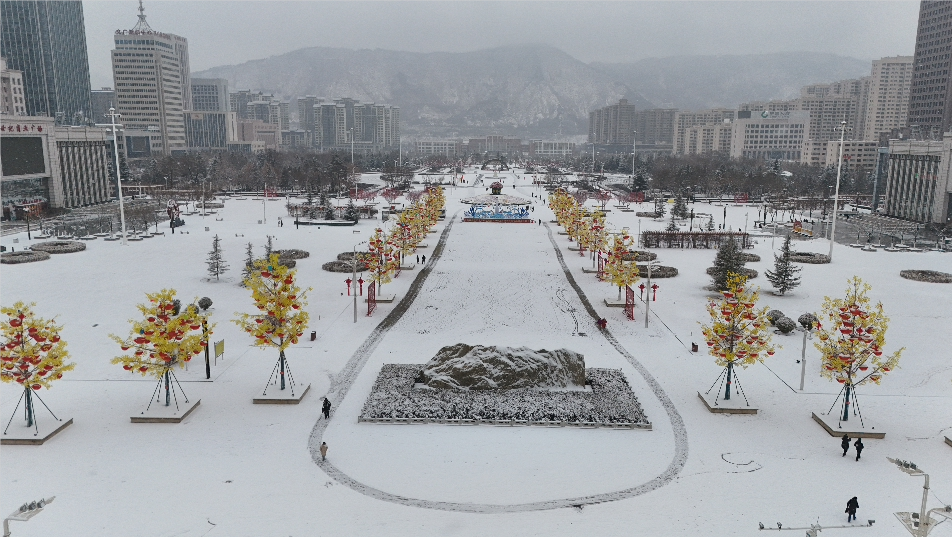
x: 281, y: 320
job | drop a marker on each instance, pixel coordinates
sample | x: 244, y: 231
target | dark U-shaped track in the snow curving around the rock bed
x: 348, y: 375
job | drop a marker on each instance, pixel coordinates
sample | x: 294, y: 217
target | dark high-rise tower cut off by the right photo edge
x: 930, y: 97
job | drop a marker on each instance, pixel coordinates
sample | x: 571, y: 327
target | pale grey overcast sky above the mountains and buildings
x: 222, y: 33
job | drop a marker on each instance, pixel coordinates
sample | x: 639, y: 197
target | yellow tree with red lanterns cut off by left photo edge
x: 33, y: 355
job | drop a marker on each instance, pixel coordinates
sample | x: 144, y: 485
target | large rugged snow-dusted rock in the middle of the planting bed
x: 478, y: 367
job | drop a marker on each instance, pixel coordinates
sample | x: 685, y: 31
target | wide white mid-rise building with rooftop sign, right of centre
x: 769, y: 135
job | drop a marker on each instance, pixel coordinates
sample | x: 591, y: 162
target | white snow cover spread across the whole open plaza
x: 235, y: 468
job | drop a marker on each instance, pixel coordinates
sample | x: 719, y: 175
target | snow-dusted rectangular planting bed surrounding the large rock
x: 610, y: 401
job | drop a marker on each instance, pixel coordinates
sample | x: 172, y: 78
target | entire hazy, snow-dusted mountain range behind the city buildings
x: 527, y: 90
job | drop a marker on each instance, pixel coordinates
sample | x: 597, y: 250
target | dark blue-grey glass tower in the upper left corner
x: 46, y: 41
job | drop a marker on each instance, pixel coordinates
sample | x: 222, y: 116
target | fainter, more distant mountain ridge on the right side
x: 698, y: 82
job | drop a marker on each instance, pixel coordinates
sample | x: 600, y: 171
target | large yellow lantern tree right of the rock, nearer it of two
x: 739, y: 334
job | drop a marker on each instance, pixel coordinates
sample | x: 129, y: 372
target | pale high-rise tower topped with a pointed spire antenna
x: 152, y: 83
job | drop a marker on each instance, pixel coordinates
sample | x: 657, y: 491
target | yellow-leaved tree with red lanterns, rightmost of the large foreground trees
x: 852, y: 344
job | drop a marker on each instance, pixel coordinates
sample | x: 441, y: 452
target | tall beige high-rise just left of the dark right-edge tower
x: 887, y: 106
